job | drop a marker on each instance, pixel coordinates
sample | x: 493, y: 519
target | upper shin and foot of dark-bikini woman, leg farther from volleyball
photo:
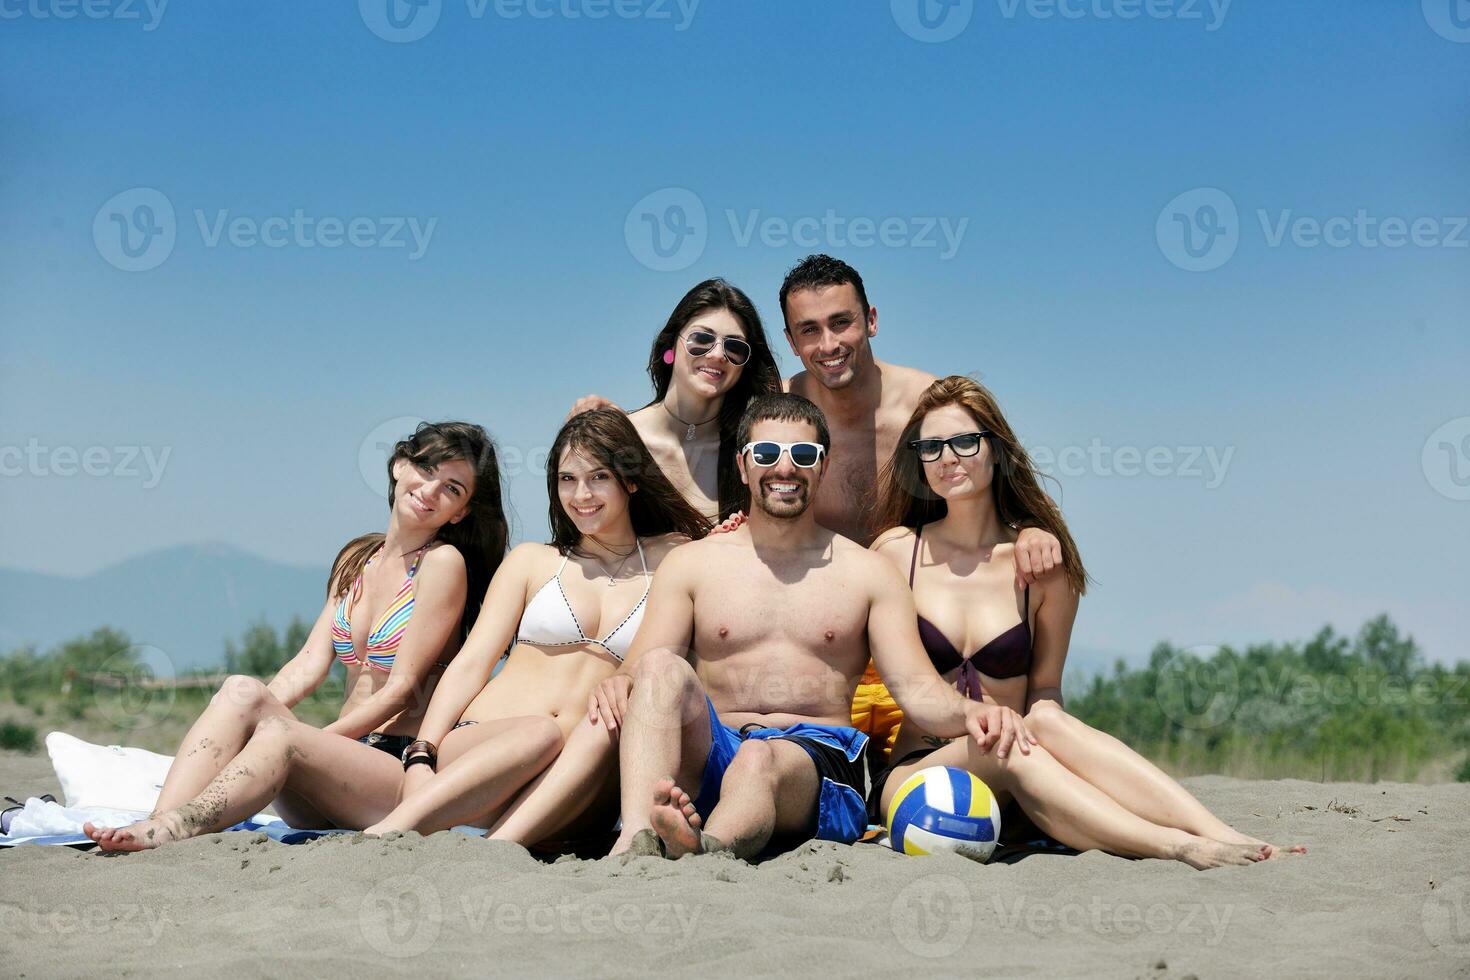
x: 1125, y: 777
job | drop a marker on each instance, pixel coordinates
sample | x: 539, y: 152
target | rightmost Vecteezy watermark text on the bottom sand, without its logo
x: 1205, y: 922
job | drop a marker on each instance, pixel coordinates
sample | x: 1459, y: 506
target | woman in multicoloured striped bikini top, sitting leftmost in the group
x: 399, y: 605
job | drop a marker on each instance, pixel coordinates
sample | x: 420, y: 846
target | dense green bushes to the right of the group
x: 1333, y: 709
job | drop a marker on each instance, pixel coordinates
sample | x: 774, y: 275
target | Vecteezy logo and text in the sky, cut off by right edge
x: 1200, y: 230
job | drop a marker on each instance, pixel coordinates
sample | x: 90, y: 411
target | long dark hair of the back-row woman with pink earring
x: 759, y: 375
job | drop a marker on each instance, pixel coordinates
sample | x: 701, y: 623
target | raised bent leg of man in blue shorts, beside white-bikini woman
x: 665, y: 735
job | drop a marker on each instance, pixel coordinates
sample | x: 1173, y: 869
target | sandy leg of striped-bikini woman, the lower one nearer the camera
x: 345, y: 781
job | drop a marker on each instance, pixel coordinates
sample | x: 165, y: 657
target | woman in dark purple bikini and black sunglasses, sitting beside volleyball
x: 955, y: 491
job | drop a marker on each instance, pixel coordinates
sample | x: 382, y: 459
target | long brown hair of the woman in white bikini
x: 608, y: 437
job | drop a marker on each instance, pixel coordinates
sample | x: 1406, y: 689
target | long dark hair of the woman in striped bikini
x: 480, y: 537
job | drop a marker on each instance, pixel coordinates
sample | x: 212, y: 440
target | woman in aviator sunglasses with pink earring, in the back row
x: 706, y: 365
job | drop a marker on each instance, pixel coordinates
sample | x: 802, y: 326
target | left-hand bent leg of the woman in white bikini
x: 481, y: 768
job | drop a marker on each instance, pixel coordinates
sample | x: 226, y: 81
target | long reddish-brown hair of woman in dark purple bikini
x: 905, y: 497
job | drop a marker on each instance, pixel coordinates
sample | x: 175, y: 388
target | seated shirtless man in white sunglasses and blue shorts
x: 783, y: 616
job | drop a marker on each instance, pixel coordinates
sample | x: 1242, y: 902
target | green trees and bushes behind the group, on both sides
x: 1331, y: 709
